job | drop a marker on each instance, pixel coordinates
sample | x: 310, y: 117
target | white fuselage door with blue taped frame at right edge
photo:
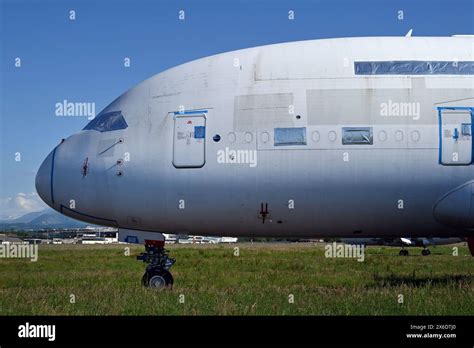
x: 455, y: 135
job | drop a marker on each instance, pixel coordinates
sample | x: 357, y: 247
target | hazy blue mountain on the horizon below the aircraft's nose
x: 43, y: 219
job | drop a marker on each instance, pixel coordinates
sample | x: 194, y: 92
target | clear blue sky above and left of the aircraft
x: 82, y: 60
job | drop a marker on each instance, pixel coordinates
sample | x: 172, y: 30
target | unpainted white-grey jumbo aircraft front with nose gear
x: 351, y: 137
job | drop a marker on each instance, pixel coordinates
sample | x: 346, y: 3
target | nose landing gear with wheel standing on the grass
x: 157, y: 275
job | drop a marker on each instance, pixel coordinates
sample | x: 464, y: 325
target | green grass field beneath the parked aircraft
x: 258, y: 282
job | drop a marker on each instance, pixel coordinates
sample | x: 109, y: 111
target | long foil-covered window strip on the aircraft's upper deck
x: 414, y: 67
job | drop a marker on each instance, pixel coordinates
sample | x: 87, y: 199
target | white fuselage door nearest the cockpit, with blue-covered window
x: 189, y: 141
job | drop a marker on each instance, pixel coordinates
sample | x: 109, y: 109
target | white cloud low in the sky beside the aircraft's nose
x: 20, y: 204
